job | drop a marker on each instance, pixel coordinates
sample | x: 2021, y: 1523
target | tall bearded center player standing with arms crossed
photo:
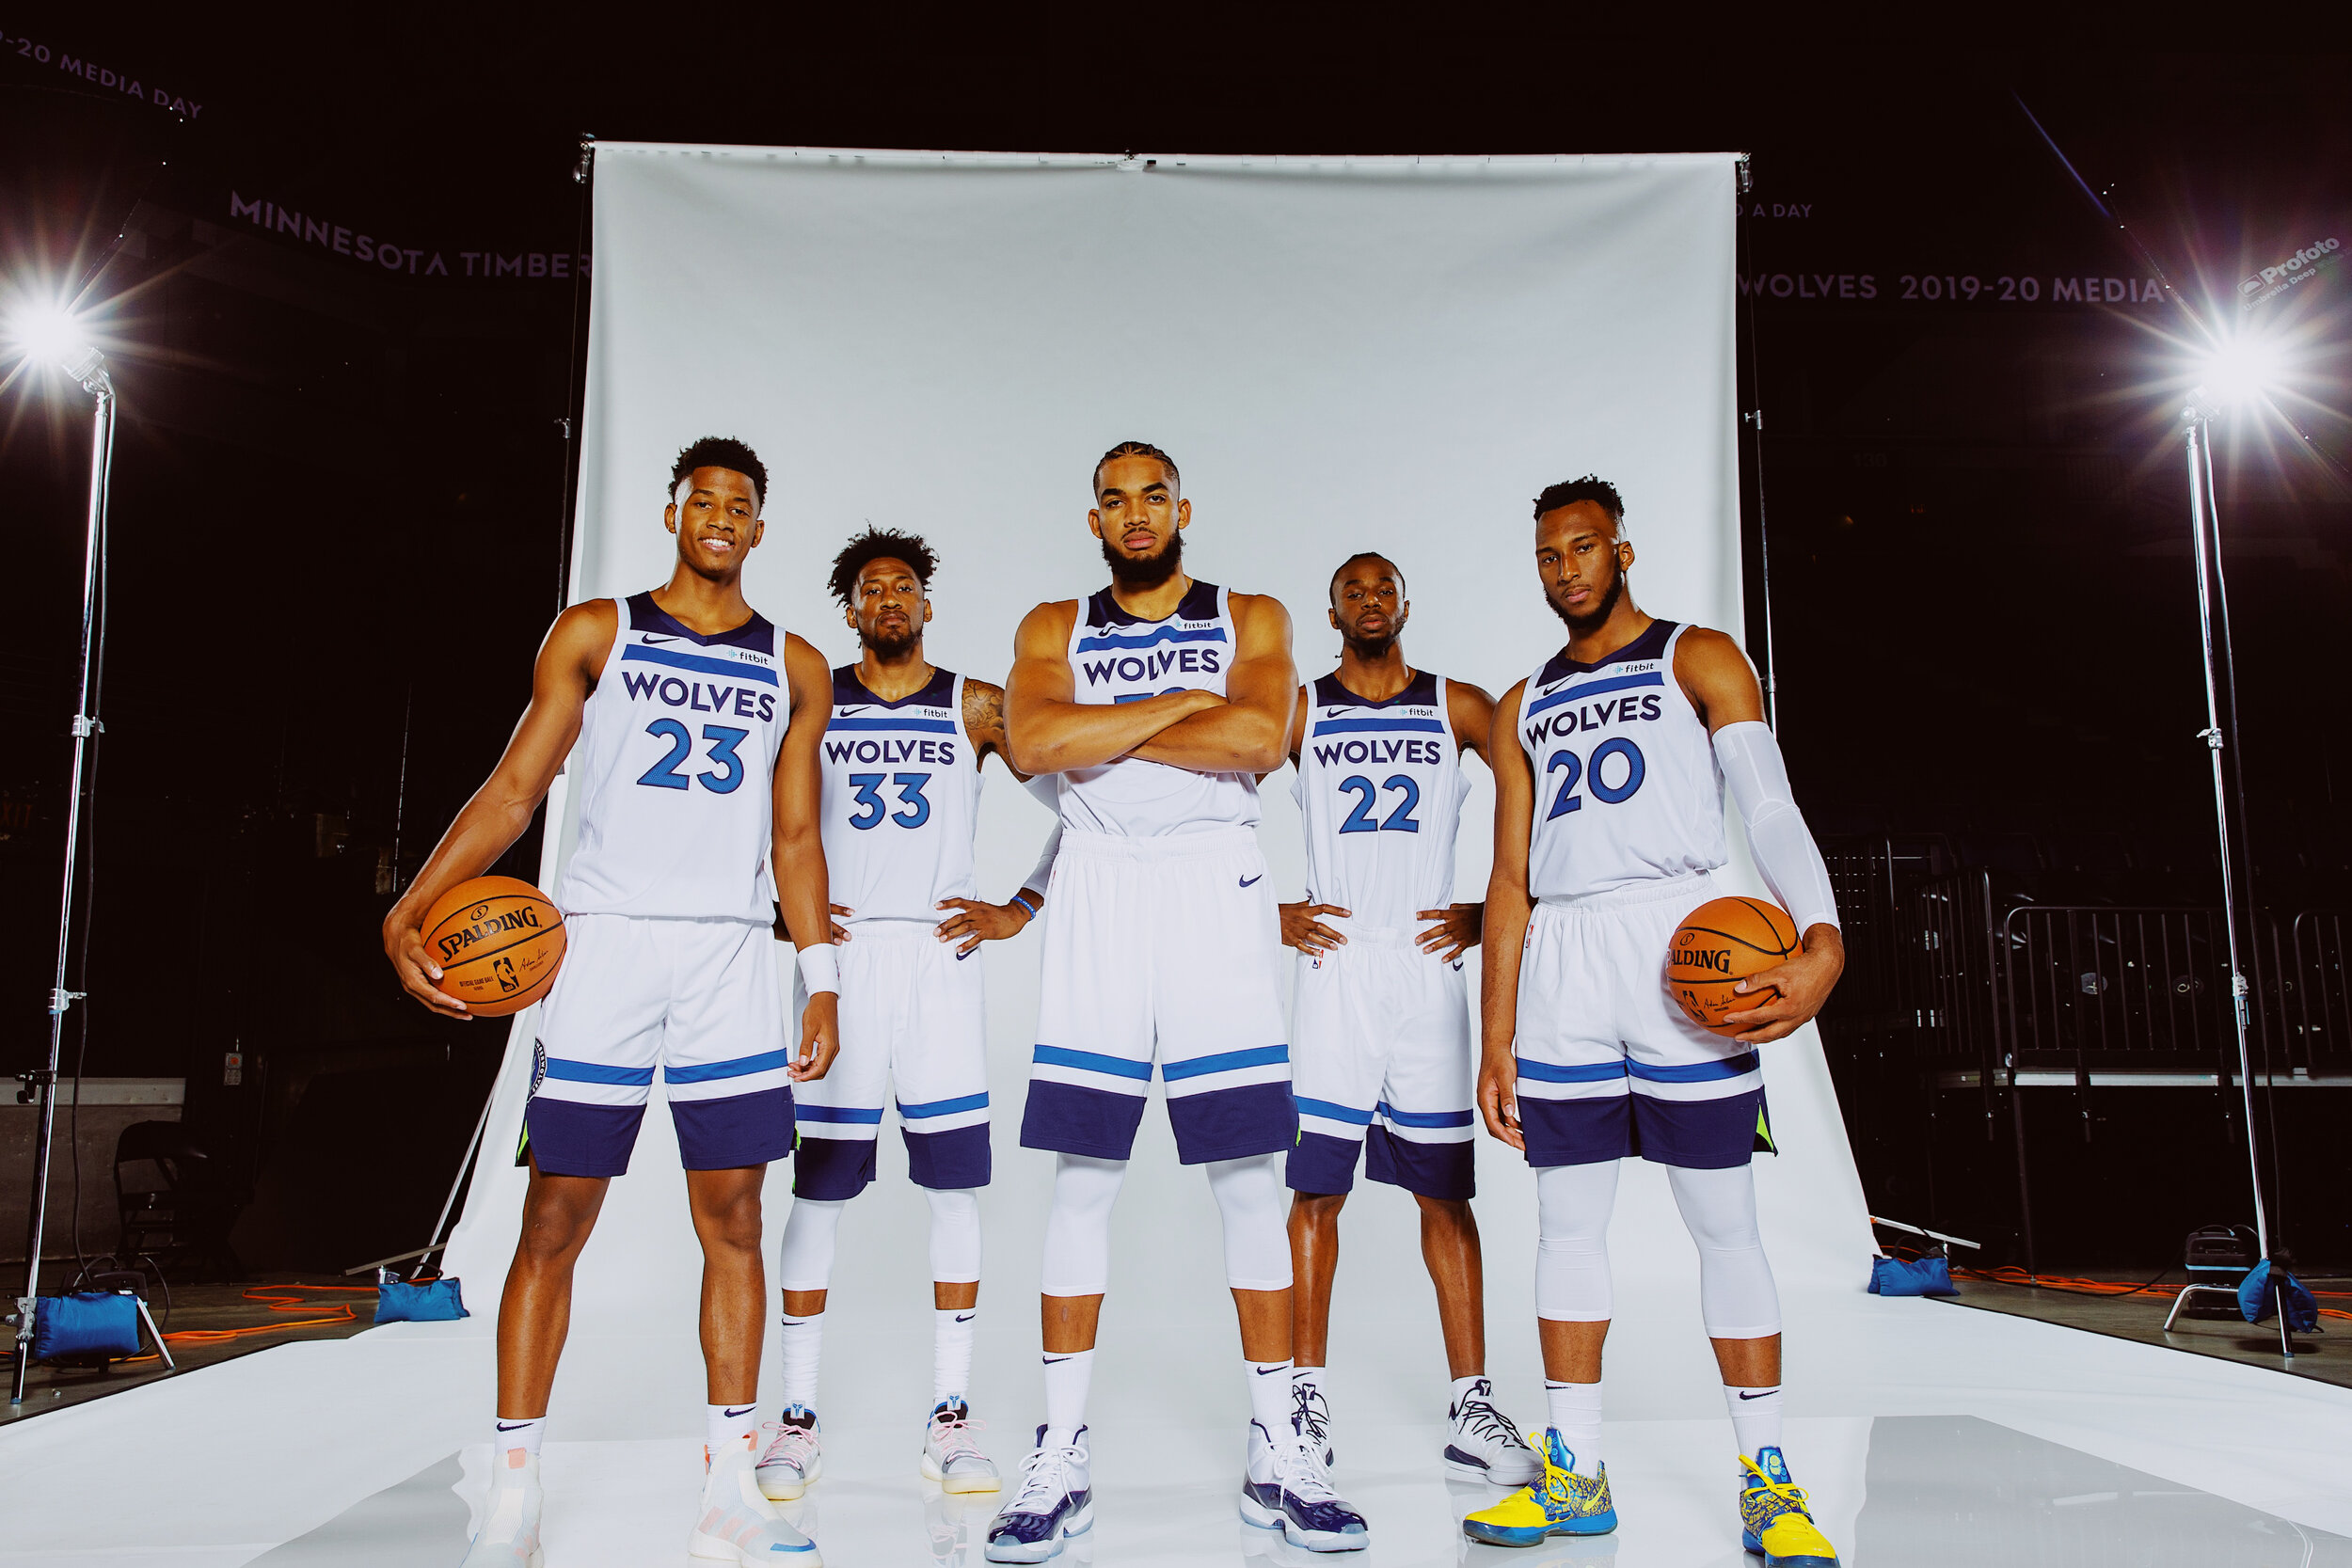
x: 1161, y: 702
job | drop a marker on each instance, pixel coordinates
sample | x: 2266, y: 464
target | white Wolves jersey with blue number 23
x: 676, y: 772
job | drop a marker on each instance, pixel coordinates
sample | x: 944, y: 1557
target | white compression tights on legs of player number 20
x: 1737, y: 1294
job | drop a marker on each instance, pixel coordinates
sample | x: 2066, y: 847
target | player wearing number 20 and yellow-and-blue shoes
x: 1610, y: 826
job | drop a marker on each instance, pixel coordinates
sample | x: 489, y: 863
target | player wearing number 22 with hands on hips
x: 1382, y: 1019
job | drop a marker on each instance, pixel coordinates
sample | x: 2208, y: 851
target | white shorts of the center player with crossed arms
x: 1161, y: 951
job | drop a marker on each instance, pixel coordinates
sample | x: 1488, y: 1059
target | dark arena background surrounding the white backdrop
x: 345, y: 300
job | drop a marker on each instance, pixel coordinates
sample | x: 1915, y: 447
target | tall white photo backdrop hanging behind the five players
x: 1342, y: 354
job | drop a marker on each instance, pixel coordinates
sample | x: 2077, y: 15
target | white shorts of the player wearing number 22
x: 1382, y: 1064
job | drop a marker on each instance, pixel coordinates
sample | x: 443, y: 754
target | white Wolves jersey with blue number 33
x: 902, y: 800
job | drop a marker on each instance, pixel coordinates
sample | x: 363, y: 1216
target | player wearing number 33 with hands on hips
x: 902, y: 800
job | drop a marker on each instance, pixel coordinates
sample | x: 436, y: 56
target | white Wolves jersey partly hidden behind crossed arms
x: 1121, y: 659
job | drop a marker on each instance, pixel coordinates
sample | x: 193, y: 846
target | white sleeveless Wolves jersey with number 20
x: 1626, y: 779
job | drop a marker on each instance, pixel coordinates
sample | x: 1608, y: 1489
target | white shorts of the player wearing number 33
x: 914, y: 1033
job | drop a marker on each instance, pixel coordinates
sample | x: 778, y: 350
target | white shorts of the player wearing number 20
x: 1610, y: 1068
